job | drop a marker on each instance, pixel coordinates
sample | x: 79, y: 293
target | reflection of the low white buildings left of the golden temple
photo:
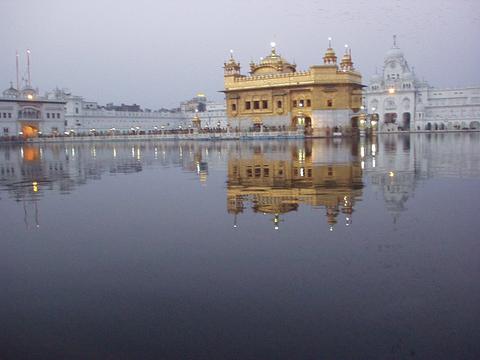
x: 29, y: 171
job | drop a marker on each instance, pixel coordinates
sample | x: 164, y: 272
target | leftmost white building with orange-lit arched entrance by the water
x: 26, y: 114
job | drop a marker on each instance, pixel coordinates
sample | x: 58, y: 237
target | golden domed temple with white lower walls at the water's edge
x: 276, y: 96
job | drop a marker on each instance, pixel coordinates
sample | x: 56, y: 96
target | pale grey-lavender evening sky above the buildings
x: 159, y: 53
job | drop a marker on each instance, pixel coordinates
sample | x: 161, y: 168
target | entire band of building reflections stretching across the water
x: 273, y: 178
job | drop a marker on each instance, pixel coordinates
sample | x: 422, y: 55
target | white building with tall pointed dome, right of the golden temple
x: 403, y: 102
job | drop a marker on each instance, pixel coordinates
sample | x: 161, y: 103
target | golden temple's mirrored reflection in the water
x: 323, y: 175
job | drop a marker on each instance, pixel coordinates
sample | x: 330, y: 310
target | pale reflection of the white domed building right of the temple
x: 395, y: 164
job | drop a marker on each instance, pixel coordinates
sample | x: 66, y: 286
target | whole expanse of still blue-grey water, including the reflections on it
x: 324, y: 249
